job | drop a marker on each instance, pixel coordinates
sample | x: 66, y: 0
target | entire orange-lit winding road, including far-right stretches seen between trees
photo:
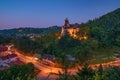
x: 45, y: 70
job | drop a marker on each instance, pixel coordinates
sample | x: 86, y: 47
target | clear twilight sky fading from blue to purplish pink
x: 45, y: 13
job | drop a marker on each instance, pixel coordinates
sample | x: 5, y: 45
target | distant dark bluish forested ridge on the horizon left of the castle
x: 30, y: 30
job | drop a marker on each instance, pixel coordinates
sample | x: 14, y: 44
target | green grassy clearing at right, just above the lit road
x: 104, y: 55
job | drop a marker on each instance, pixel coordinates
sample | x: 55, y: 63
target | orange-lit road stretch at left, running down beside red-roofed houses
x: 44, y: 70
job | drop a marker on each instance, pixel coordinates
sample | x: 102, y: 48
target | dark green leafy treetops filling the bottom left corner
x: 18, y: 72
